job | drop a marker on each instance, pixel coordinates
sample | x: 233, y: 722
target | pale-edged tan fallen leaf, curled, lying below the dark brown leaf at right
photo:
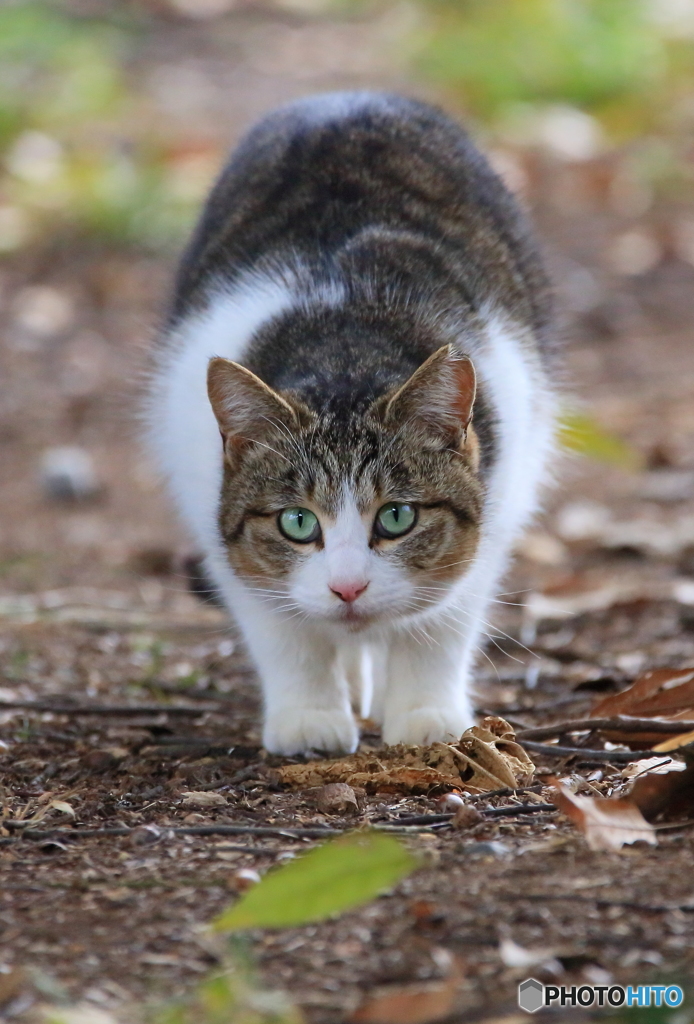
x: 608, y: 825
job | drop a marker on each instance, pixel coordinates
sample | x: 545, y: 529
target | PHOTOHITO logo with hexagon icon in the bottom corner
x: 533, y: 996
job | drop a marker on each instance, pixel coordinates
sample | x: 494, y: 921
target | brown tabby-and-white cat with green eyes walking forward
x: 364, y: 317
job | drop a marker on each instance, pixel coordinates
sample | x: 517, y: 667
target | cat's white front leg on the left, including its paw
x: 307, y: 700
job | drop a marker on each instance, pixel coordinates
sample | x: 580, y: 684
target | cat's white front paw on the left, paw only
x: 297, y: 731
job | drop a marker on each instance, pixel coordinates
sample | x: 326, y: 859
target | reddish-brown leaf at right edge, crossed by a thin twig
x: 662, y: 694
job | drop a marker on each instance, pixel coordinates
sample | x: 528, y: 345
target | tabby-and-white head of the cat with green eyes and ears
x: 352, y: 517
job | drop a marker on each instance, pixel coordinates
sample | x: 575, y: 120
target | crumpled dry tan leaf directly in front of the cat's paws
x: 486, y: 758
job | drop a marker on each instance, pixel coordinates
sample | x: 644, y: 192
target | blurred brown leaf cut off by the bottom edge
x: 422, y: 1004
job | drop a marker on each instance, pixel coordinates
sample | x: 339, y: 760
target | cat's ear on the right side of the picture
x: 440, y: 397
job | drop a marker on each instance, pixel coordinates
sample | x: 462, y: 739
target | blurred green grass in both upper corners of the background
x: 81, y: 151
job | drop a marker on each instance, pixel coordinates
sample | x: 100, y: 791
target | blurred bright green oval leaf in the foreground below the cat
x: 330, y: 880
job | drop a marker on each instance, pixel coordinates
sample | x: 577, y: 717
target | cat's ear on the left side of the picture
x: 247, y: 410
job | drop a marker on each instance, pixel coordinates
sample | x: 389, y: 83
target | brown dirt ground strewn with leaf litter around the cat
x: 96, y: 609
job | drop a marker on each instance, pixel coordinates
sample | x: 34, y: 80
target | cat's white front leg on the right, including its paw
x: 427, y: 698
